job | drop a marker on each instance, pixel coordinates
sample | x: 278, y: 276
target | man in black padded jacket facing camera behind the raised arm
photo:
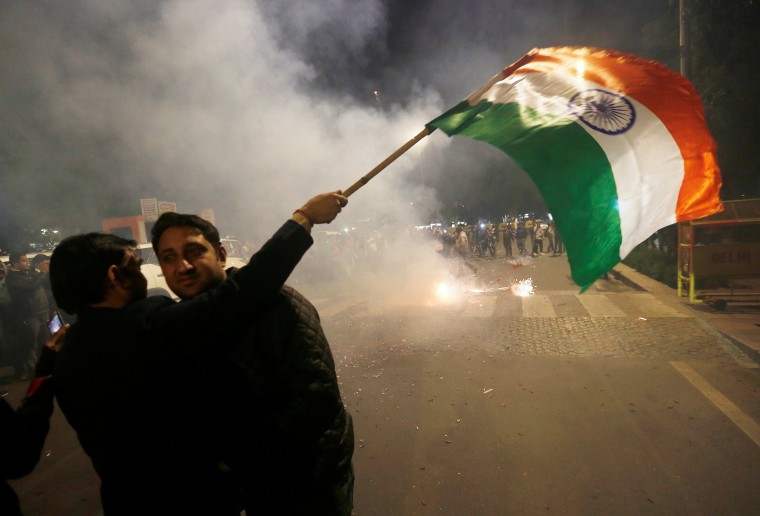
x: 291, y: 440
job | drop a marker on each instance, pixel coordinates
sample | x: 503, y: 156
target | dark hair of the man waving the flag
x: 79, y: 266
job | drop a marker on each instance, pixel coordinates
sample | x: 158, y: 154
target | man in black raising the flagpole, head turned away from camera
x: 115, y: 375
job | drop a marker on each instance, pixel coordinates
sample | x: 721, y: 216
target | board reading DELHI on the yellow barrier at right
x: 727, y: 259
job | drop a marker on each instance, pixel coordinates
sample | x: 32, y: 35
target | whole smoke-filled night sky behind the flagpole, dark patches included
x: 251, y: 107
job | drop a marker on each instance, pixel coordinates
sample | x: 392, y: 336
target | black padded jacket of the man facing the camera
x: 301, y: 462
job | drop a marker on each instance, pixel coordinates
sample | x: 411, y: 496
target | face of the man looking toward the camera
x: 191, y: 265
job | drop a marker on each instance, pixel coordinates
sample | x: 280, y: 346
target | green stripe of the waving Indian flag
x: 565, y: 163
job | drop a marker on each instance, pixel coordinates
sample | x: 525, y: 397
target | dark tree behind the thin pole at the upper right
x: 723, y: 50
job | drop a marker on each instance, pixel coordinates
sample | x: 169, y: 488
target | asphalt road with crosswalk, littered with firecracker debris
x: 484, y: 402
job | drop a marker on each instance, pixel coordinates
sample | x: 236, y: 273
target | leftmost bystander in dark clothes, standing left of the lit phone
x: 29, y: 309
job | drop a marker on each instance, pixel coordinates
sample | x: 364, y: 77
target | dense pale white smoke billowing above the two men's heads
x: 201, y: 103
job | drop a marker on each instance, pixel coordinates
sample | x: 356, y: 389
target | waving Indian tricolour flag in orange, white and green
x: 617, y: 145
